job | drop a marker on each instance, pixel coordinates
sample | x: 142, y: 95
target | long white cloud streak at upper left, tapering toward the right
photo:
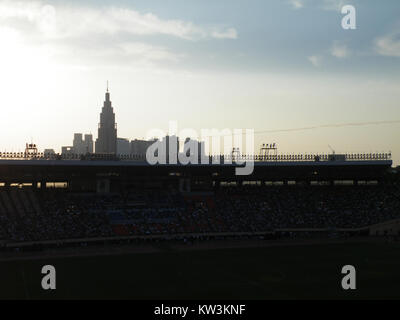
x: 69, y: 21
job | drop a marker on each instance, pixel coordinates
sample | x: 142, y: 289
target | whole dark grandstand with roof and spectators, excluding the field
x: 44, y: 201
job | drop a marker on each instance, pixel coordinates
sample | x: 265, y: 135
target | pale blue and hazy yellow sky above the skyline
x: 264, y: 65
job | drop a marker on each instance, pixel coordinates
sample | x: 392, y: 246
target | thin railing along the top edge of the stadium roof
x: 211, y: 159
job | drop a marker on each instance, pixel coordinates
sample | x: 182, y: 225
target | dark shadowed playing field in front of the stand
x: 283, y: 272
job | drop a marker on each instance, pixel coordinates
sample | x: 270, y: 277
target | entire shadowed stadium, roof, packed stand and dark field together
x: 124, y: 215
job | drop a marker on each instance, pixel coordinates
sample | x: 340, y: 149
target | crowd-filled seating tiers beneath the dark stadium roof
x: 60, y: 214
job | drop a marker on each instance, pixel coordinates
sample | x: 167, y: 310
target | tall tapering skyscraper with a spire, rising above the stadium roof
x: 107, y: 131
